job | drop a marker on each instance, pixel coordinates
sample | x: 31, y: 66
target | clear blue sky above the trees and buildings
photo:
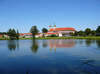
x: 23, y: 14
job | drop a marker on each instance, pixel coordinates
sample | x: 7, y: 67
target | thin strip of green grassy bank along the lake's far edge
x: 88, y: 37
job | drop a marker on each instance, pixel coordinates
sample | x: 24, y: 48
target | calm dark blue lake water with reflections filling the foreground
x: 50, y: 57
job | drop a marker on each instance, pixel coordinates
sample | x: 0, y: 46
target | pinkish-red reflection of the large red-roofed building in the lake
x: 53, y: 44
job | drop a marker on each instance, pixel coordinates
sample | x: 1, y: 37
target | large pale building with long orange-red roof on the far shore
x: 60, y: 31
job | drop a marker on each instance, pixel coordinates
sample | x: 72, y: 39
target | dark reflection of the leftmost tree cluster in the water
x: 13, y: 44
